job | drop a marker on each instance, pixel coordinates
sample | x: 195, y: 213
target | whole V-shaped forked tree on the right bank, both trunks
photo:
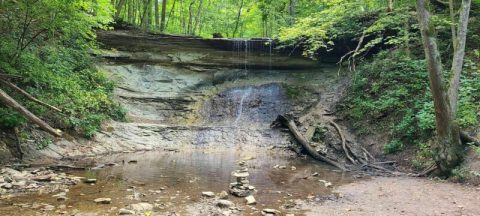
x: 447, y: 148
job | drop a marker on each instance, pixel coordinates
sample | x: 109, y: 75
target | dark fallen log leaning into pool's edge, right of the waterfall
x: 305, y: 144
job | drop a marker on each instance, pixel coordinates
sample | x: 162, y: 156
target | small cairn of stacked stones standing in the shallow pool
x: 242, y: 187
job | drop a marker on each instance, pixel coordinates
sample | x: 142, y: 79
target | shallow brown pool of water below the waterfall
x: 174, y: 180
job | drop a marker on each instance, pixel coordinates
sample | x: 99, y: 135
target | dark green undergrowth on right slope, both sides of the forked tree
x: 392, y: 91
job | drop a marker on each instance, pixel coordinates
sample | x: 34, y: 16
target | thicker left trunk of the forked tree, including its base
x: 447, y: 148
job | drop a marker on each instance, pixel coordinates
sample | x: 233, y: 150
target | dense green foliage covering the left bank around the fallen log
x: 52, y: 56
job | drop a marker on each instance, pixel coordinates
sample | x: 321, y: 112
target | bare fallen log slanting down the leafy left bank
x: 7, y: 100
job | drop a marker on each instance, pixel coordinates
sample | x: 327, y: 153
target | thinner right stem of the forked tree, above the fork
x: 459, y: 54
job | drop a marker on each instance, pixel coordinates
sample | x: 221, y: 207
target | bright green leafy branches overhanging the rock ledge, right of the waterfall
x: 342, y: 21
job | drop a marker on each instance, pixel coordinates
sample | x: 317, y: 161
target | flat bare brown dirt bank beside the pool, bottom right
x: 401, y: 196
